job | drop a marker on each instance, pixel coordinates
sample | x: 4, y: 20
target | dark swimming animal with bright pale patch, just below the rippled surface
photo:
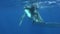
x: 31, y: 11
